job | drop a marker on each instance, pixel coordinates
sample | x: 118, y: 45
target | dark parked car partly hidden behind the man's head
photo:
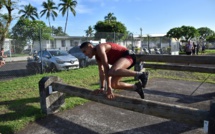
x: 83, y: 60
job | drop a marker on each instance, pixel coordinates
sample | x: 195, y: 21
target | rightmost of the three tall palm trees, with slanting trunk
x: 65, y: 7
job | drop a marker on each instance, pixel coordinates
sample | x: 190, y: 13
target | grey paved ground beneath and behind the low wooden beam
x: 92, y: 117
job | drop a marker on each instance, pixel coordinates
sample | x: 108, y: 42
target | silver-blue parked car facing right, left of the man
x: 57, y: 60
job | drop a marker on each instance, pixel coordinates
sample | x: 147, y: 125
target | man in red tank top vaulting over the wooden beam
x: 121, y: 61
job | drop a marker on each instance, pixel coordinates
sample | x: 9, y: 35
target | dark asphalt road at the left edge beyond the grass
x: 13, y: 70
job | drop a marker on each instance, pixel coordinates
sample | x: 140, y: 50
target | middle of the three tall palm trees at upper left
x: 49, y: 10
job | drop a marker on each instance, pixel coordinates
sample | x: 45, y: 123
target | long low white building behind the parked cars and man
x: 151, y: 42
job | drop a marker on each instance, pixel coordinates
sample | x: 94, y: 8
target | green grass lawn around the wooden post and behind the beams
x: 19, y: 98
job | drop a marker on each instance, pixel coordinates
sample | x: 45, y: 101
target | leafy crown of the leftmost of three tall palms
x: 29, y: 12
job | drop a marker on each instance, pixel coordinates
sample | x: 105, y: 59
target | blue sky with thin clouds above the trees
x: 153, y: 16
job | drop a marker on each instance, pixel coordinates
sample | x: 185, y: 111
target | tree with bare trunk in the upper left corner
x: 6, y: 19
